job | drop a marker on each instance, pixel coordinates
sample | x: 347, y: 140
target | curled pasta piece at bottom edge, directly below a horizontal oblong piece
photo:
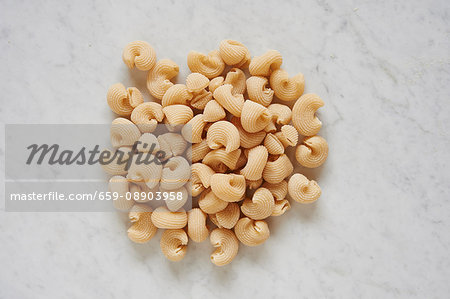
x: 174, y: 244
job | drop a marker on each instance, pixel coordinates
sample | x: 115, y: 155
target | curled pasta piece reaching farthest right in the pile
x: 313, y: 152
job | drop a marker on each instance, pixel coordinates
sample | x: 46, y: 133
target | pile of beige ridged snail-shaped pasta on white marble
x: 238, y: 109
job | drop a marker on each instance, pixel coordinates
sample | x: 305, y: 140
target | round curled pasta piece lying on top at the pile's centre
x: 223, y: 134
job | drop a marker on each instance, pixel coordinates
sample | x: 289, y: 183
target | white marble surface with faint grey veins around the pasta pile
x: 381, y: 227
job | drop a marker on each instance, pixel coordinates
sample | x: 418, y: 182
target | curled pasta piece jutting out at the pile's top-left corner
x: 139, y: 54
